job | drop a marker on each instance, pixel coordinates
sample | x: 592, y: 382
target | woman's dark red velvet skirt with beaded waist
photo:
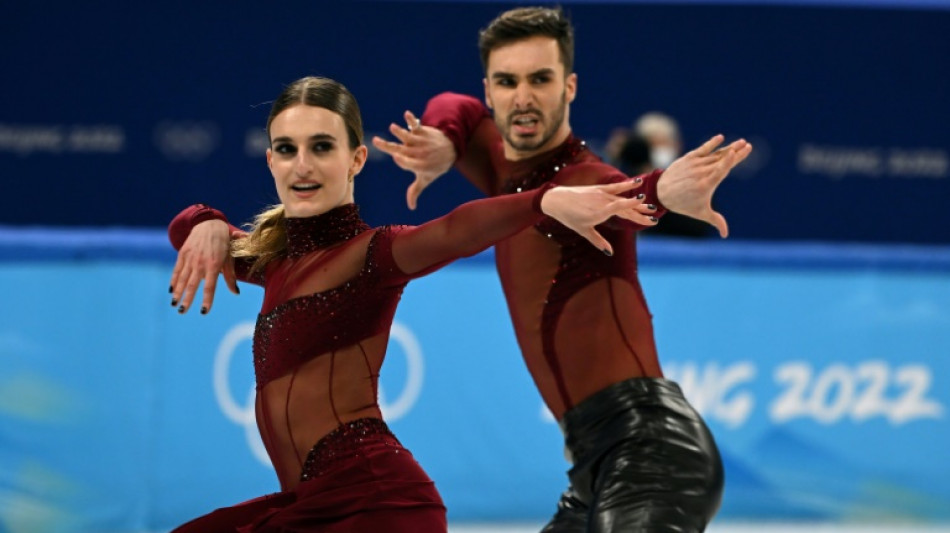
x: 359, y: 478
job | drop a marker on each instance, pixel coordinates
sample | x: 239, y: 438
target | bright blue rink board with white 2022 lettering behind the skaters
x: 821, y: 370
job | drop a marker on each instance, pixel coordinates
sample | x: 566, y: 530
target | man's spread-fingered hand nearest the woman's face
x: 423, y: 150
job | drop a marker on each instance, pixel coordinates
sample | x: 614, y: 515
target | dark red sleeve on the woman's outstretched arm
x: 465, y: 231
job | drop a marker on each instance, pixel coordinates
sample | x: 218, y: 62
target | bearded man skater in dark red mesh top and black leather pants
x: 643, y: 459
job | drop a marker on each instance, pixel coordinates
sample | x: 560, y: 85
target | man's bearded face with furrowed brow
x: 527, y: 89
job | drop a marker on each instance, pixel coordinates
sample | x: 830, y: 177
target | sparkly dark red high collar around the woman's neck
x: 305, y: 235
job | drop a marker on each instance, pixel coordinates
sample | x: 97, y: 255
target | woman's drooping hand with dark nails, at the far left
x: 204, y: 254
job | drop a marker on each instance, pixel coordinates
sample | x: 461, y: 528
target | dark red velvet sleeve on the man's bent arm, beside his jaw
x: 469, y: 125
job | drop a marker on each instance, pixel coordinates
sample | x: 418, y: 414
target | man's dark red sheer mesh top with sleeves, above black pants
x: 580, y: 317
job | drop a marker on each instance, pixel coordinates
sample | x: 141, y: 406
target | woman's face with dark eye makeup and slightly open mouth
x: 311, y: 161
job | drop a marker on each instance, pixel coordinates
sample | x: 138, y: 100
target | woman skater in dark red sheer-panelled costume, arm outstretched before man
x: 331, y: 286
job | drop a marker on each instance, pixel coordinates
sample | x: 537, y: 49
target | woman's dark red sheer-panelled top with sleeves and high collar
x: 329, y: 302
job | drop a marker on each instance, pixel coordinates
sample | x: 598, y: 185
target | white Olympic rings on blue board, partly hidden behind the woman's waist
x: 242, y: 413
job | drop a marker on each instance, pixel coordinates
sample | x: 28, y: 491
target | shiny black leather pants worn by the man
x: 643, y: 461
